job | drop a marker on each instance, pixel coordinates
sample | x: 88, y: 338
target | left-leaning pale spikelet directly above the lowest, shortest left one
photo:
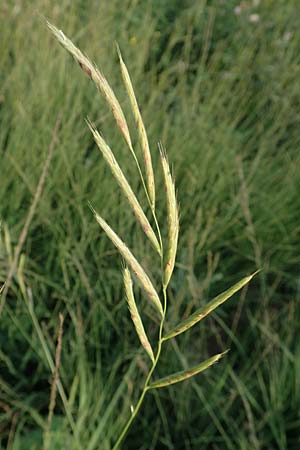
x: 135, y: 266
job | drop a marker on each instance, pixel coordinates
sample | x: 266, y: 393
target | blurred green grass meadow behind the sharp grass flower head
x: 218, y: 82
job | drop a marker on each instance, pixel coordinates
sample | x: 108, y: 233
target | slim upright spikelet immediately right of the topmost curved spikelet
x: 141, y: 130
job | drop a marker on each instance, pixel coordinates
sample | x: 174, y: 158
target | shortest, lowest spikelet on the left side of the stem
x: 136, y: 318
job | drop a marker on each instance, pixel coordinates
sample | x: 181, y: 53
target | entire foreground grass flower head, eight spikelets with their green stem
x: 167, y: 252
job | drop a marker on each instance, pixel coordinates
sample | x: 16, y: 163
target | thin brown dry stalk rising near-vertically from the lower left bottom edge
x: 54, y: 383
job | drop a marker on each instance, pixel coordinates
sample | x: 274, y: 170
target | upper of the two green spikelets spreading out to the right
x: 207, y: 309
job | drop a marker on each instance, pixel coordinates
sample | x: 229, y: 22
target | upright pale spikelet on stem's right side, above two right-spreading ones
x: 173, y: 219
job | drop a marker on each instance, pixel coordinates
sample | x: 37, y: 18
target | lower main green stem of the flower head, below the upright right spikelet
x: 146, y: 385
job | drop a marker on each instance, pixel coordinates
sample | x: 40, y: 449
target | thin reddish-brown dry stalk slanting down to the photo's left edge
x: 36, y: 198
